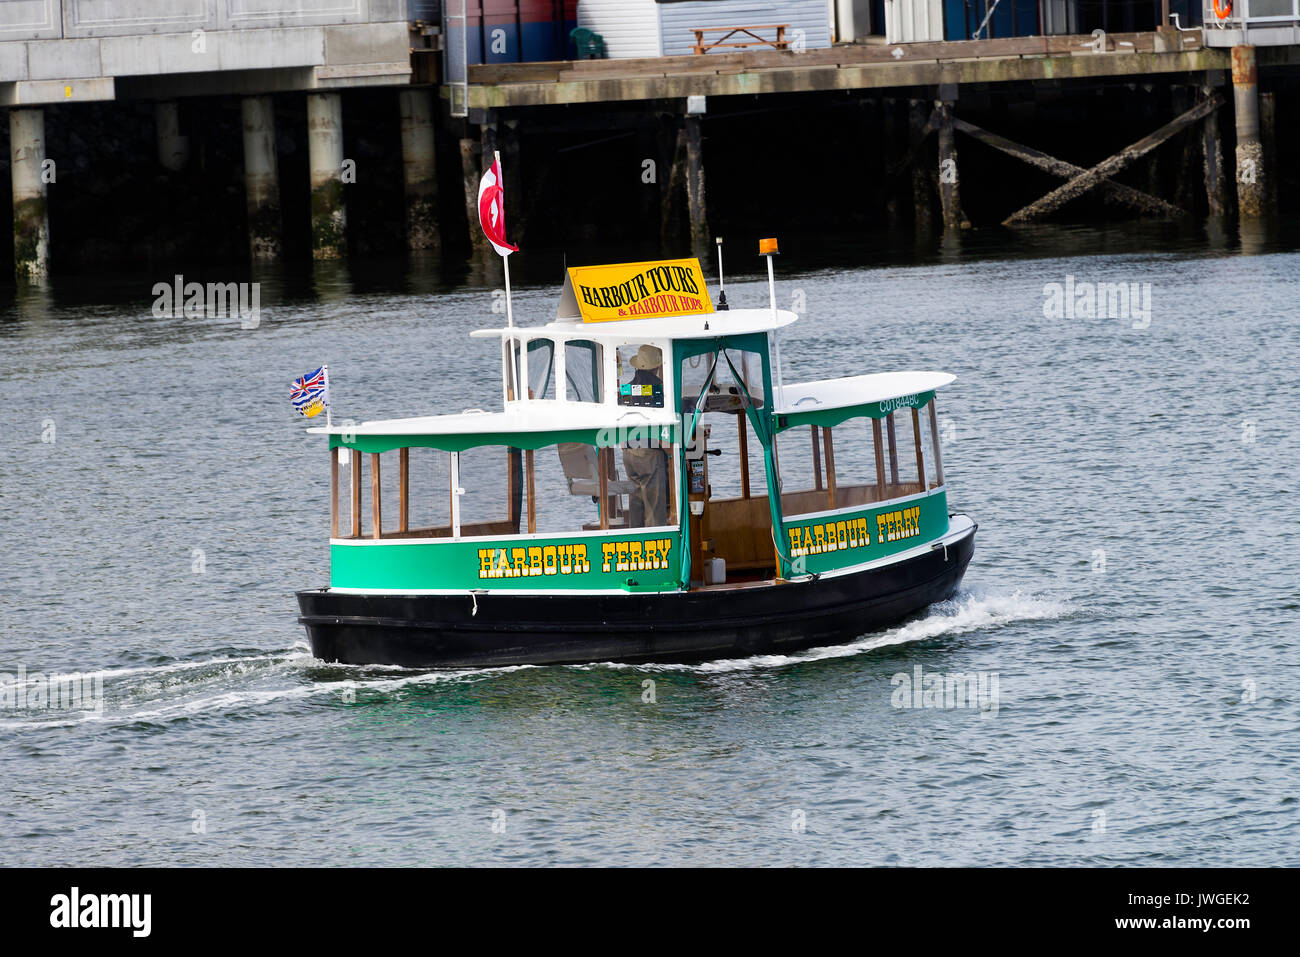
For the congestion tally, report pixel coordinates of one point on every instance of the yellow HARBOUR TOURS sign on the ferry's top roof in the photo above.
(635, 291)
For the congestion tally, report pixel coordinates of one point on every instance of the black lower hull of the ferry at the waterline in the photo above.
(441, 631)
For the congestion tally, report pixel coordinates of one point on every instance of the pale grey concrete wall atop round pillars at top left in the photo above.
(55, 51)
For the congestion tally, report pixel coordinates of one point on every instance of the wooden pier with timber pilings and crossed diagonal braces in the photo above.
(931, 79)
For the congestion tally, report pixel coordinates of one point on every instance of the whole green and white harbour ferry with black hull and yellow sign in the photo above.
(651, 492)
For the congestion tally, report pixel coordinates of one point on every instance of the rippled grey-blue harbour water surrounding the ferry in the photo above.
(1136, 592)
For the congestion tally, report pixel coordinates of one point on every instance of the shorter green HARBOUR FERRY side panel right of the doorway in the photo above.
(881, 531)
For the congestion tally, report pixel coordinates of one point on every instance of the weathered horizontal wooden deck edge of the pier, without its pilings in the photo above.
(851, 67)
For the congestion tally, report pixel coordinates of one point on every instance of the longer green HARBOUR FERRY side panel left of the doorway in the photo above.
(551, 564)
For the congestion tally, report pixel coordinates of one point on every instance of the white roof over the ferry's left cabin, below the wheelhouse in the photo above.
(535, 415)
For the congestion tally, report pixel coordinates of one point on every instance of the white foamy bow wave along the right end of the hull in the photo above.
(969, 612)
